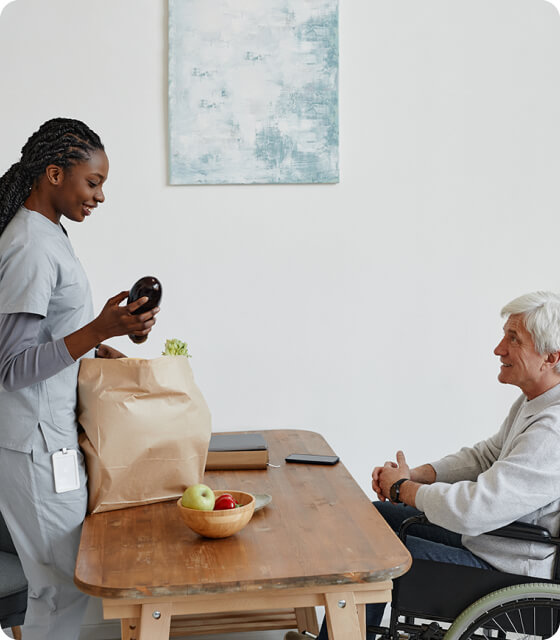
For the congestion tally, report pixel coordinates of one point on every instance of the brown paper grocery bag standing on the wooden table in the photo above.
(146, 430)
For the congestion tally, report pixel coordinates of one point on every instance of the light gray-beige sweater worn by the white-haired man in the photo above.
(514, 475)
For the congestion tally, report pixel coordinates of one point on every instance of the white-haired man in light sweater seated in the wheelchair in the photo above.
(513, 475)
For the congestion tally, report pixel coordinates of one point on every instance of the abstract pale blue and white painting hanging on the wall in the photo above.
(253, 91)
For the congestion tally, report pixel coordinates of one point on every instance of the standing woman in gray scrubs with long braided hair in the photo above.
(46, 325)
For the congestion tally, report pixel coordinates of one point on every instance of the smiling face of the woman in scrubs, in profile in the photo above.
(80, 190)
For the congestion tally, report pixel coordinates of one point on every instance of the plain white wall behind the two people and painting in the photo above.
(367, 310)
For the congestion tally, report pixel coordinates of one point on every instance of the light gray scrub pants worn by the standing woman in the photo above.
(45, 527)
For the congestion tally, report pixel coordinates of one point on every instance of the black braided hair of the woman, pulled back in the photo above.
(60, 141)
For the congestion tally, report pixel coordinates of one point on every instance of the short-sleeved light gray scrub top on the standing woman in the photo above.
(40, 274)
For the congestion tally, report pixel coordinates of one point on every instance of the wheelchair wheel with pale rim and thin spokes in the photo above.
(520, 611)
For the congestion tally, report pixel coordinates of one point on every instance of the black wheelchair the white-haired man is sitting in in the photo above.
(434, 600)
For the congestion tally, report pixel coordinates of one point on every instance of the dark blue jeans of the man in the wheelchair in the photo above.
(424, 543)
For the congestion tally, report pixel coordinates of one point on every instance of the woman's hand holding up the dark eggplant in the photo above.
(116, 320)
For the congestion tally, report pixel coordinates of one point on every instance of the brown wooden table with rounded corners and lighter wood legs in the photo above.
(319, 543)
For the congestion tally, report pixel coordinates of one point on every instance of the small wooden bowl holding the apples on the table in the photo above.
(222, 523)
